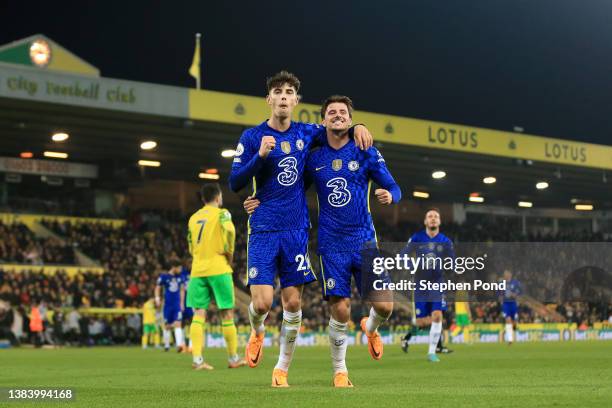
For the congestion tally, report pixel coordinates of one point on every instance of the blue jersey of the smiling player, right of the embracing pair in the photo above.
(343, 180)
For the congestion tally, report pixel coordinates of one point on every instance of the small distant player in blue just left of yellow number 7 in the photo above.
(174, 295)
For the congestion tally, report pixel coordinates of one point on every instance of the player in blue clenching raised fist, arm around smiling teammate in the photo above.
(273, 156)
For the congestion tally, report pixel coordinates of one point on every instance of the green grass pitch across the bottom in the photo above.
(482, 375)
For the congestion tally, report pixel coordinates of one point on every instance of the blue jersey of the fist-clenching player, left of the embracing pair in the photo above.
(278, 180)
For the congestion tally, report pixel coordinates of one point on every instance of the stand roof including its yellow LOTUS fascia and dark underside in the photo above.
(192, 127)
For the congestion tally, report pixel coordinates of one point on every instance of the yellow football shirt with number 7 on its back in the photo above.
(211, 237)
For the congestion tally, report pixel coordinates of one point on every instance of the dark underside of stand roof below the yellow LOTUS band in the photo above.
(185, 147)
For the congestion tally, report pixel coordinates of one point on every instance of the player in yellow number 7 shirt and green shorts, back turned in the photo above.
(211, 239)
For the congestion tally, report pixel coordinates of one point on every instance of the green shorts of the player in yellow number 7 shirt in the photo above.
(201, 290)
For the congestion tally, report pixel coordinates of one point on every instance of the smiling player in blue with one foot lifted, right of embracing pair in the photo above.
(342, 174)
